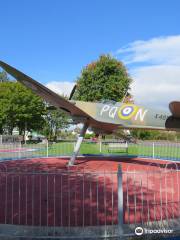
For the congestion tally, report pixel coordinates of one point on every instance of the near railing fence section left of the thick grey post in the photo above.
(55, 203)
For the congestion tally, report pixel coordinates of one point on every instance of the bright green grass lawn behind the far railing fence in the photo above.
(66, 148)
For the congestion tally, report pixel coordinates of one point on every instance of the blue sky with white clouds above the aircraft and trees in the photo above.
(52, 40)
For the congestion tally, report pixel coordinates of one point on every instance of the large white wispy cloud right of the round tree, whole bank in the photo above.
(157, 75)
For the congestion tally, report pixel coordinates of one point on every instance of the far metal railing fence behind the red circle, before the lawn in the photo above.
(156, 150)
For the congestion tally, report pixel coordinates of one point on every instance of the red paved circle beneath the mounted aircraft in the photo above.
(46, 192)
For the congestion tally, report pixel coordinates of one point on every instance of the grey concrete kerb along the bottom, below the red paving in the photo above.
(88, 232)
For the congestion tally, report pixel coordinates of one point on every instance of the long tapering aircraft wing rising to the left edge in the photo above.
(43, 92)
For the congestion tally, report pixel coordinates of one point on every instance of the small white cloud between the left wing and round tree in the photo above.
(61, 87)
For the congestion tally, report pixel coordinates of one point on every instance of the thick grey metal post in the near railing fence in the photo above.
(120, 201)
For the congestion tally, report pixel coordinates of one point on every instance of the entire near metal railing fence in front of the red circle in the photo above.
(78, 202)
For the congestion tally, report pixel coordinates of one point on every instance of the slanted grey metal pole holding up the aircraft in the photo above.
(78, 144)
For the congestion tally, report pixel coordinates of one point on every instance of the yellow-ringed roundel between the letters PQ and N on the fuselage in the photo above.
(127, 111)
